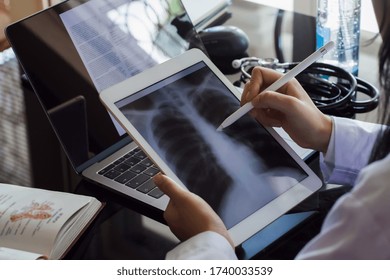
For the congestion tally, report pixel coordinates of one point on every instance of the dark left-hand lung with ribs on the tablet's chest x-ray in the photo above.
(185, 149)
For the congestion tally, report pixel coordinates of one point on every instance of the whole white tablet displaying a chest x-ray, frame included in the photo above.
(247, 172)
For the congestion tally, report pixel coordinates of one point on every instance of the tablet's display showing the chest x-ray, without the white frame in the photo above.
(236, 171)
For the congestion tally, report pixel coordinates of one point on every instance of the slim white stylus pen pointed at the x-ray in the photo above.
(279, 83)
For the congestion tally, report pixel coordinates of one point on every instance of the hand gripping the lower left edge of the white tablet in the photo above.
(188, 214)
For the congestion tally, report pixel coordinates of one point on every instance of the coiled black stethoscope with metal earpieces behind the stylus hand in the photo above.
(332, 89)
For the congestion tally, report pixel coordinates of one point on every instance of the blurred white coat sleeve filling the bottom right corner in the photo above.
(357, 226)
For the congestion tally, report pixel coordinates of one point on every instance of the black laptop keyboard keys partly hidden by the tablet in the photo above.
(134, 170)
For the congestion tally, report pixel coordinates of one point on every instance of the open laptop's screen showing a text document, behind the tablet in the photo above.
(74, 50)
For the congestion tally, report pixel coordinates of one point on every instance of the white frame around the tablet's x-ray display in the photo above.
(259, 219)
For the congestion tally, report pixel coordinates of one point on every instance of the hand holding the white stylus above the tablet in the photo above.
(290, 108)
